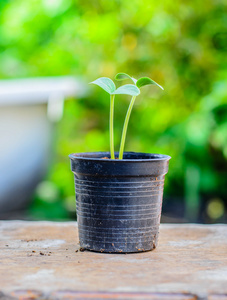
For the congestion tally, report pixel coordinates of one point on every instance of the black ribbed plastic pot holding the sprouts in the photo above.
(119, 201)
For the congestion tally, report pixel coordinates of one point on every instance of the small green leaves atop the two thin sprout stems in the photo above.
(128, 89)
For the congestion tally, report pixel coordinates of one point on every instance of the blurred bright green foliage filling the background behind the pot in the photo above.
(180, 44)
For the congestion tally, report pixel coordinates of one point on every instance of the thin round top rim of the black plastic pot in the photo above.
(88, 156)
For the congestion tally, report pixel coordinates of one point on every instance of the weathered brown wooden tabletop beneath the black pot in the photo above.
(42, 260)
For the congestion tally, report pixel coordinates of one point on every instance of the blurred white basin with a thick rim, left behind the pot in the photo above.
(27, 109)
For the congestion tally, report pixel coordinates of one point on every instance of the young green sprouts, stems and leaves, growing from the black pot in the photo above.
(128, 89)
